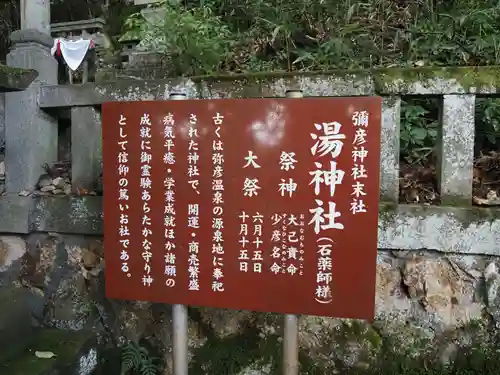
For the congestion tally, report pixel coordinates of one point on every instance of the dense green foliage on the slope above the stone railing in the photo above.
(260, 35)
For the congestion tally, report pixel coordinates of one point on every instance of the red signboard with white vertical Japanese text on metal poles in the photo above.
(258, 204)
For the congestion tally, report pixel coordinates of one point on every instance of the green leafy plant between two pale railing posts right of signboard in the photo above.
(418, 132)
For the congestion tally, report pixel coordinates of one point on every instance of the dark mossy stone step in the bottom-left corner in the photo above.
(64, 344)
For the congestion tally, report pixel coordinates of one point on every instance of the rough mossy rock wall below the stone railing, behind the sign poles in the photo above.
(428, 304)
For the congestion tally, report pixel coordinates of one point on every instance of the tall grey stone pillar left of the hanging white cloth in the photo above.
(30, 133)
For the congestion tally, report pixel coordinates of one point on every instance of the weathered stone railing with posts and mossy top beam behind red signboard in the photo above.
(454, 226)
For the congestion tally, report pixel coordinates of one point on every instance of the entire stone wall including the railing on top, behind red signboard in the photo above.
(437, 278)
